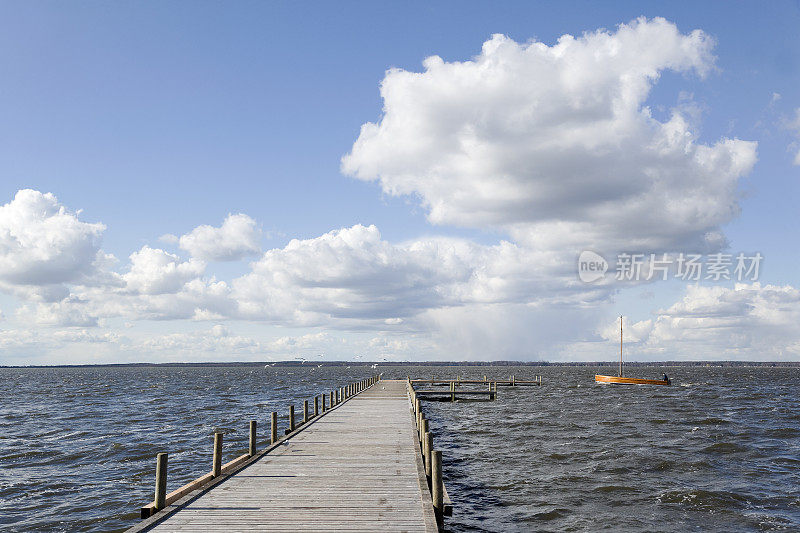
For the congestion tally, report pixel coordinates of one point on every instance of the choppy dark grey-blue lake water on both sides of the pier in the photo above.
(718, 451)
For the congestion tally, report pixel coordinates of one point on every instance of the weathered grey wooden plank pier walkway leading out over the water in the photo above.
(356, 467)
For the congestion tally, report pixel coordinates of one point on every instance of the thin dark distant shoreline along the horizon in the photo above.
(294, 364)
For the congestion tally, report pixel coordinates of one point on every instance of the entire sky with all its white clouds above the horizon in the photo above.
(206, 181)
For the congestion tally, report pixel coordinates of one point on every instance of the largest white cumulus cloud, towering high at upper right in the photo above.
(554, 144)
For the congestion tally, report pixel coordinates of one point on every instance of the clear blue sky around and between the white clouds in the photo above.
(156, 118)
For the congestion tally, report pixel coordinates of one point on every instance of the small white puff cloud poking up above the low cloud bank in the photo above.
(238, 237)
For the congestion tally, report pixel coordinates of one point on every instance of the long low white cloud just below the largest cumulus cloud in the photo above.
(353, 277)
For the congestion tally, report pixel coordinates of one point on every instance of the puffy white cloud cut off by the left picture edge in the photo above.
(43, 245)
